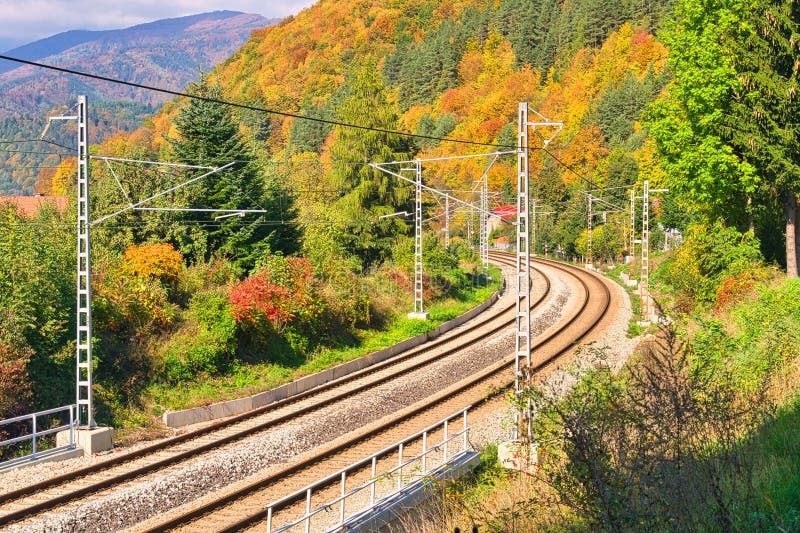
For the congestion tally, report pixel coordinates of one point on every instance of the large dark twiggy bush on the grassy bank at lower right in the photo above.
(658, 448)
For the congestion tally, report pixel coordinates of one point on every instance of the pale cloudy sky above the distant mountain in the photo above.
(25, 21)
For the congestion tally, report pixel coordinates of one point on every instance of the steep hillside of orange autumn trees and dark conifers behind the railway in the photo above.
(450, 69)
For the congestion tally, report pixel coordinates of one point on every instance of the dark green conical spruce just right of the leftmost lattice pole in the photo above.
(210, 136)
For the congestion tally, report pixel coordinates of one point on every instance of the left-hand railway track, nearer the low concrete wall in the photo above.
(59, 492)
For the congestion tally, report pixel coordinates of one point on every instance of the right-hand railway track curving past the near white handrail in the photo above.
(242, 507)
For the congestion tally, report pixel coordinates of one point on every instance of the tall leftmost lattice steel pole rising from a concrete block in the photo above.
(84, 283)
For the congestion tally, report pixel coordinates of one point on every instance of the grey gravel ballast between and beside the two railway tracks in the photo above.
(159, 492)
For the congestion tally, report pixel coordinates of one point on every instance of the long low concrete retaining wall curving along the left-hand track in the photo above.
(234, 407)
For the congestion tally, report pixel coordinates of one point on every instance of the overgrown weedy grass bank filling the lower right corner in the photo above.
(695, 436)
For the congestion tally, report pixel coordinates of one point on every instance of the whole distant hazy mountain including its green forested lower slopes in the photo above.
(169, 54)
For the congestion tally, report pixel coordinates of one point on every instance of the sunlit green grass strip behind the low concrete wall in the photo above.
(249, 378)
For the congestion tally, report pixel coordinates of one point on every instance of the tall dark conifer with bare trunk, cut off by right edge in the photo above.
(764, 119)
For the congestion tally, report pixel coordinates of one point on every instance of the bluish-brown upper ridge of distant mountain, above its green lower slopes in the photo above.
(168, 53)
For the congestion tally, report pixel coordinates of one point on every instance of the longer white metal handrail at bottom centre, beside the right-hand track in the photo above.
(374, 478)
